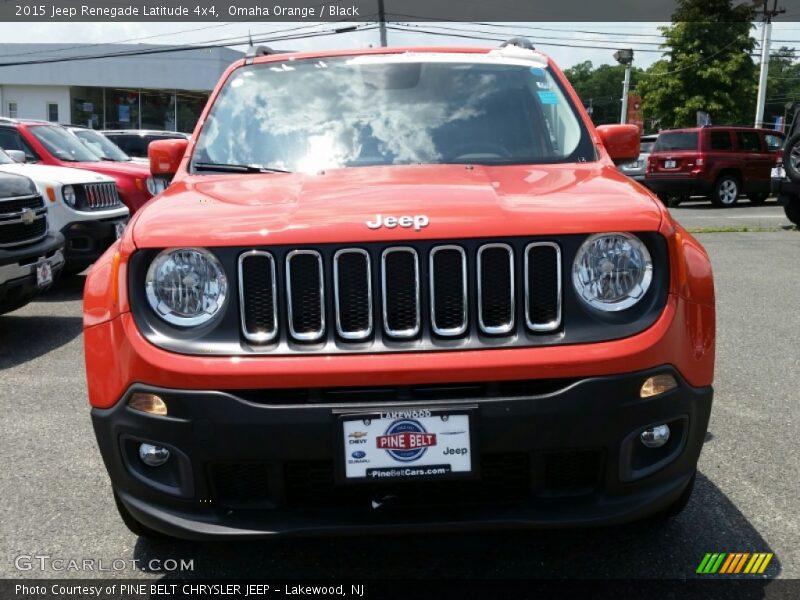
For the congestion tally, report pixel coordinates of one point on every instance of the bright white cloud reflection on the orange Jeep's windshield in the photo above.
(313, 117)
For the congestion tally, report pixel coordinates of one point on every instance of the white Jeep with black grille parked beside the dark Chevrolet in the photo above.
(82, 205)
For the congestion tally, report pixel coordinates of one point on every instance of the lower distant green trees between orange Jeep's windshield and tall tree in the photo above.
(601, 88)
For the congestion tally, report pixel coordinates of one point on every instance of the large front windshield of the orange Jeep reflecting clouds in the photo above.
(309, 115)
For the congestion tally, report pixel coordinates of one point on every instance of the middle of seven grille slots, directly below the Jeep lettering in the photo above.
(400, 281)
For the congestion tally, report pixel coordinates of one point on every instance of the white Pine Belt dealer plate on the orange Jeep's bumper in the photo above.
(407, 444)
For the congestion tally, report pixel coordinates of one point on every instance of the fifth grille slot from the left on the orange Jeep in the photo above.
(448, 273)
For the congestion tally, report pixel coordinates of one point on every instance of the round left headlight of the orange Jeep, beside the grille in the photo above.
(186, 286)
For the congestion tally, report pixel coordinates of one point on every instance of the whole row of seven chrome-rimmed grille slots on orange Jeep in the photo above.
(442, 291)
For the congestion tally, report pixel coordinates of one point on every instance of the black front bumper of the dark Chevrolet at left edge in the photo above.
(18, 270)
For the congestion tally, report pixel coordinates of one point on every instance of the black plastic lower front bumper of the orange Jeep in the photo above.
(567, 456)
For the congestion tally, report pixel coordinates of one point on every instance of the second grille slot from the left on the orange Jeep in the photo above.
(305, 295)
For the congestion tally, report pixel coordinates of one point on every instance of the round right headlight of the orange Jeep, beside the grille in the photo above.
(612, 271)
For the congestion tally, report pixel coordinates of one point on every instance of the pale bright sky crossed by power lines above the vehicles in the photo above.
(560, 40)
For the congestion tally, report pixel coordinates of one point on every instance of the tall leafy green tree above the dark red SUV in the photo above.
(707, 66)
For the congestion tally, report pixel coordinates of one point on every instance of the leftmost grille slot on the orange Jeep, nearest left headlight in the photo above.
(257, 296)
